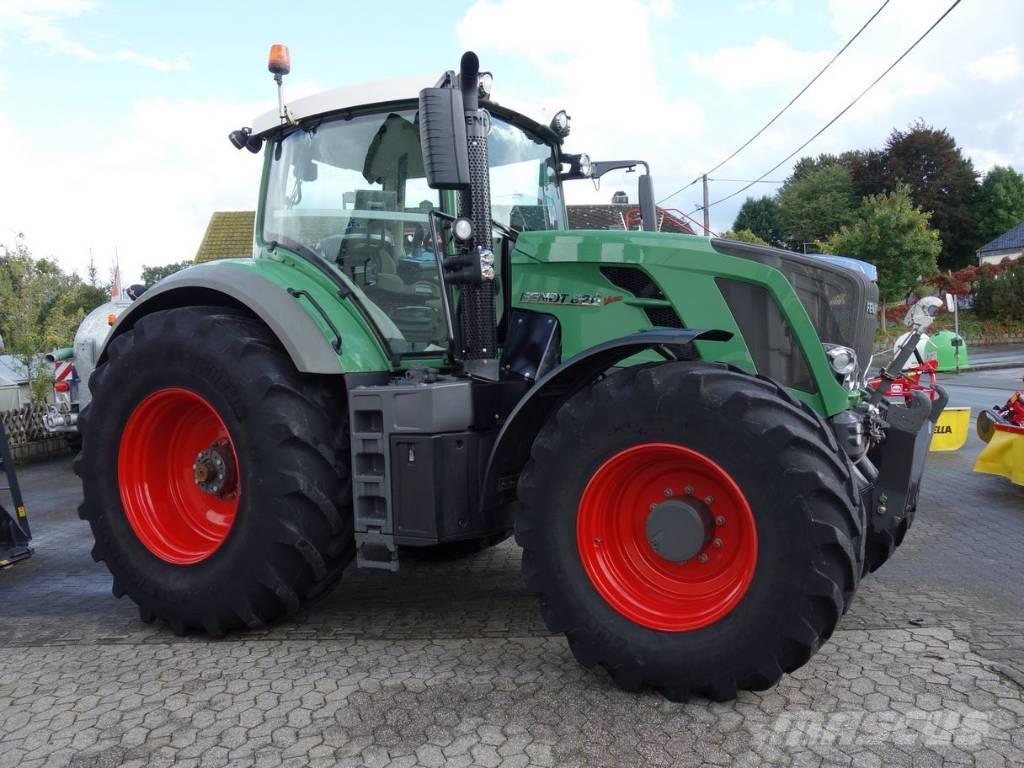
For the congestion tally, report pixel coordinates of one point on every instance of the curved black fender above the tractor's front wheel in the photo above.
(511, 449)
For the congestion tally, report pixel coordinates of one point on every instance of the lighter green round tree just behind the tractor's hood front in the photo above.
(894, 235)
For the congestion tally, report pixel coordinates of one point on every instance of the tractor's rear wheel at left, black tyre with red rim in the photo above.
(216, 477)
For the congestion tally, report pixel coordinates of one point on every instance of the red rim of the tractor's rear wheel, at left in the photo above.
(161, 446)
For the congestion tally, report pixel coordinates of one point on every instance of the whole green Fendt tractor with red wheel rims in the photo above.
(421, 355)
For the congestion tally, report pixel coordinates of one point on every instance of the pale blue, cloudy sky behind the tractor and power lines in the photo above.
(114, 114)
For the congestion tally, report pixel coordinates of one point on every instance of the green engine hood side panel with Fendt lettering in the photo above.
(567, 274)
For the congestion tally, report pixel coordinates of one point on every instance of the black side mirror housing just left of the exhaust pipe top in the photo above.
(443, 139)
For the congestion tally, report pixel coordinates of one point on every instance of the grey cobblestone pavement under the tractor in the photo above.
(448, 664)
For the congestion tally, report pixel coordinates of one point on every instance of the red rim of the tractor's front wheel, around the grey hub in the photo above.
(624, 567)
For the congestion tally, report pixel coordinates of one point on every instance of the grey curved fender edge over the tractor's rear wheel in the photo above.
(281, 310)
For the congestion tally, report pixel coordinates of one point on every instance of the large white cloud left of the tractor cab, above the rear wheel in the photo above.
(146, 185)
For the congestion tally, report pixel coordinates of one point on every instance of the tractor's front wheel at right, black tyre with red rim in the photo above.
(784, 532)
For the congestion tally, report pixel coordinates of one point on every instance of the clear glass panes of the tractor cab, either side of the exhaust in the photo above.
(354, 194)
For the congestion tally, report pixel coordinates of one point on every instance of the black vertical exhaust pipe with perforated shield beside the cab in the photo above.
(479, 321)
